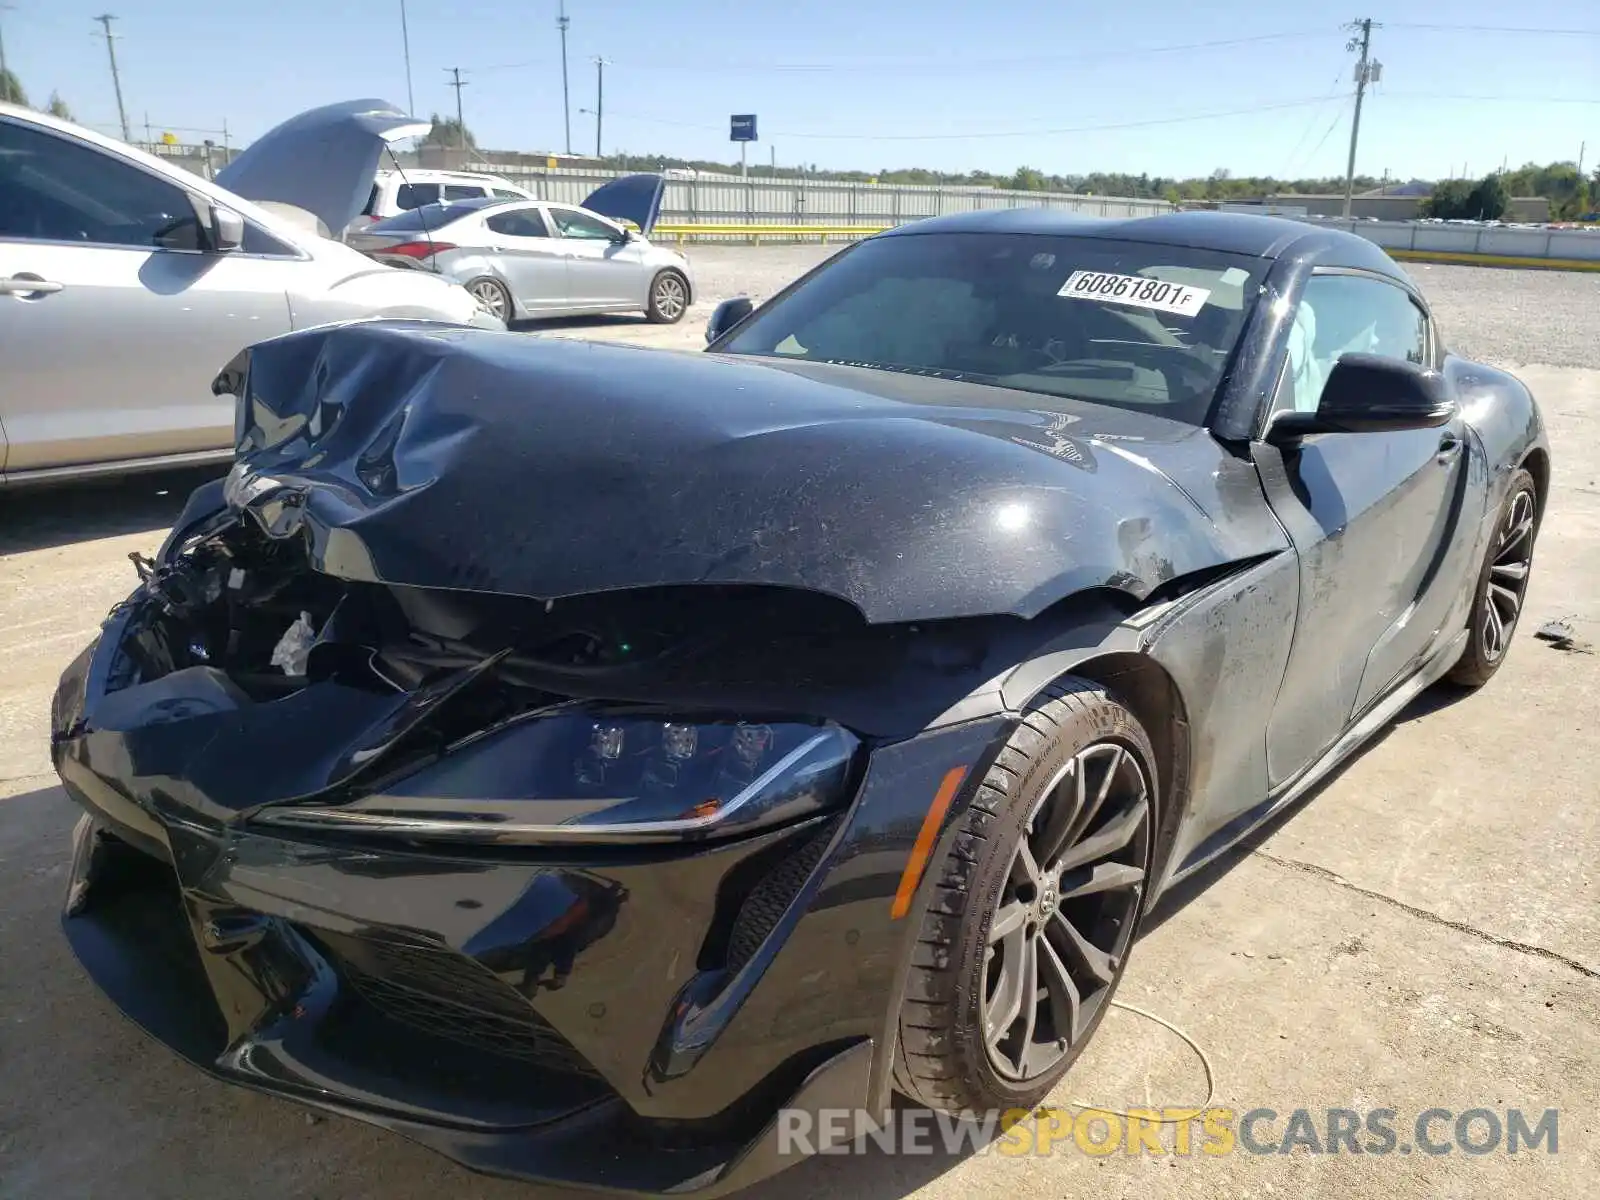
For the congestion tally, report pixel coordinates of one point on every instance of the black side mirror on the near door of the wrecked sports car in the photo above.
(1370, 394)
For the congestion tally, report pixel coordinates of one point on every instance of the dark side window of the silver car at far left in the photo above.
(55, 190)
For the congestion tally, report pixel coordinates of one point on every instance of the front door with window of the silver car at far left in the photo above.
(114, 314)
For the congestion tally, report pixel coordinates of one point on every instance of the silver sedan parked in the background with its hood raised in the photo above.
(537, 258)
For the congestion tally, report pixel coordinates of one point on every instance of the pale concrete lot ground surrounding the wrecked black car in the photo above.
(1423, 934)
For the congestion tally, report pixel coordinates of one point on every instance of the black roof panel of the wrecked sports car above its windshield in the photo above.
(1270, 238)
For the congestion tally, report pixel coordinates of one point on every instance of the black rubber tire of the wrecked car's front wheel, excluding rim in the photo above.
(943, 1058)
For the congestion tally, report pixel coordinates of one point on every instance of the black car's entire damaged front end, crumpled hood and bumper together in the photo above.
(526, 746)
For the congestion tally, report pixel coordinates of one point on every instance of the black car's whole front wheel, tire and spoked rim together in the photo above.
(1034, 910)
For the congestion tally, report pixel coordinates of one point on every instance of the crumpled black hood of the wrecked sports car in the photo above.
(434, 457)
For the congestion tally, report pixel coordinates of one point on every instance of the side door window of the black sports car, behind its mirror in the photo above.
(1348, 314)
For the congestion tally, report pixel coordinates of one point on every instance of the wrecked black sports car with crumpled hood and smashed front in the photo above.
(570, 756)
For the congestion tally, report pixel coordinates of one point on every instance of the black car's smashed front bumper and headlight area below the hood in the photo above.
(575, 890)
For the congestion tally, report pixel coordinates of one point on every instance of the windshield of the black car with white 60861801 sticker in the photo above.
(1126, 324)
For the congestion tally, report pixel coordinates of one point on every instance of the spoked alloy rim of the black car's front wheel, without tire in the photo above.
(1068, 911)
